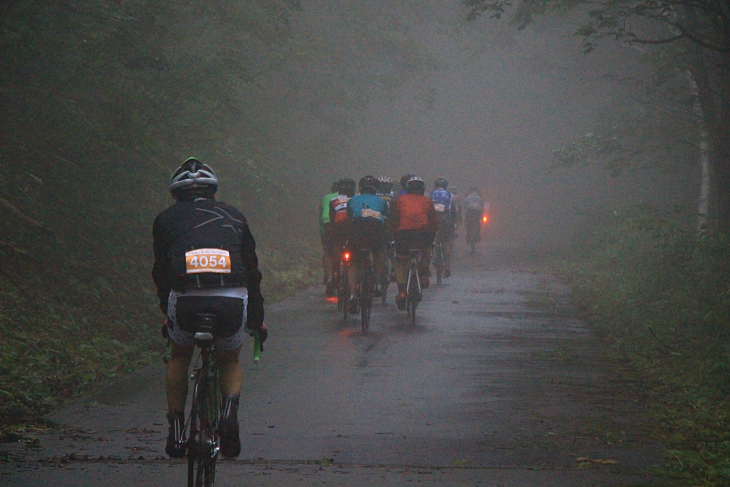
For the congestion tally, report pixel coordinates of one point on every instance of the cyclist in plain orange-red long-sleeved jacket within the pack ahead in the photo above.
(414, 223)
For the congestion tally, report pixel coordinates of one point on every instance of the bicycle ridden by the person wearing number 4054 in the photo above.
(203, 444)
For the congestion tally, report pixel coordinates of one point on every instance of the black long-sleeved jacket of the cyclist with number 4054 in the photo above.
(206, 223)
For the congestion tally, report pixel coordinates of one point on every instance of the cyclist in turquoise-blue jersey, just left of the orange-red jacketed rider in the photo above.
(368, 212)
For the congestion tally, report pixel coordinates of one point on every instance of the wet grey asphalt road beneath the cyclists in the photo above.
(499, 383)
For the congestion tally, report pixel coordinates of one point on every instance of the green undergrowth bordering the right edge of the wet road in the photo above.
(659, 297)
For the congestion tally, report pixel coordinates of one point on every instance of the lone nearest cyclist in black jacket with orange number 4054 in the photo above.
(205, 261)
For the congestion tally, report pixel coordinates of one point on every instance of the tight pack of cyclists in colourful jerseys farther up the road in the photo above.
(388, 224)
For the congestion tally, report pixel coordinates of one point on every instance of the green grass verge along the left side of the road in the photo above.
(80, 334)
